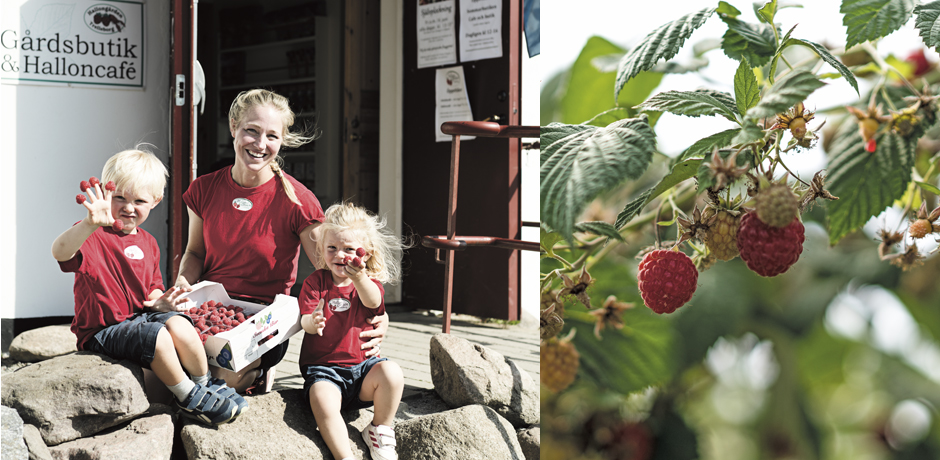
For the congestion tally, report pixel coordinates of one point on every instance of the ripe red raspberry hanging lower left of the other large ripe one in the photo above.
(666, 280)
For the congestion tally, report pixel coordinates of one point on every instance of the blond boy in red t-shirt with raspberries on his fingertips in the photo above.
(120, 308)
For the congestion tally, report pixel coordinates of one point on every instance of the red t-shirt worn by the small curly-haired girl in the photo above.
(345, 317)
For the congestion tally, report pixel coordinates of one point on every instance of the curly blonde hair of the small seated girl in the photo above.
(385, 248)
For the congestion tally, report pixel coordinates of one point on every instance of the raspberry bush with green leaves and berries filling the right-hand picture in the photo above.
(646, 304)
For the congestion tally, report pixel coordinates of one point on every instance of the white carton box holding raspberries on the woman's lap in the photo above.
(235, 349)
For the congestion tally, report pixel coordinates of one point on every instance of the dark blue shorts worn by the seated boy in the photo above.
(134, 339)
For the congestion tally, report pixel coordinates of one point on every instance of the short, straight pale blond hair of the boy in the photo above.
(135, 170)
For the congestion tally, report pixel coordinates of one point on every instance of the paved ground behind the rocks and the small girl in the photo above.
(409, 341)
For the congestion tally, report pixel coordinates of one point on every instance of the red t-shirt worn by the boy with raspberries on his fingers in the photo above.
(114, 274)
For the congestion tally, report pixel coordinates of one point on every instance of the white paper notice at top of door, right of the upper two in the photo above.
(481, 29)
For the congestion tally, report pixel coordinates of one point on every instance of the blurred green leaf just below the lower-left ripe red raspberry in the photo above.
(626, 360)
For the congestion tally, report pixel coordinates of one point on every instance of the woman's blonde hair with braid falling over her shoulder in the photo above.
(246, 100)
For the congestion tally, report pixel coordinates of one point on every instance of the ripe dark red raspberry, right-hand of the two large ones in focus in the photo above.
(769, 251)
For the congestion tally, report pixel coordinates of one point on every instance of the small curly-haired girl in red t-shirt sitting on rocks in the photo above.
(357, 255)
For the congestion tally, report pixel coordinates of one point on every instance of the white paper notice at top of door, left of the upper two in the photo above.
(436, 43)
